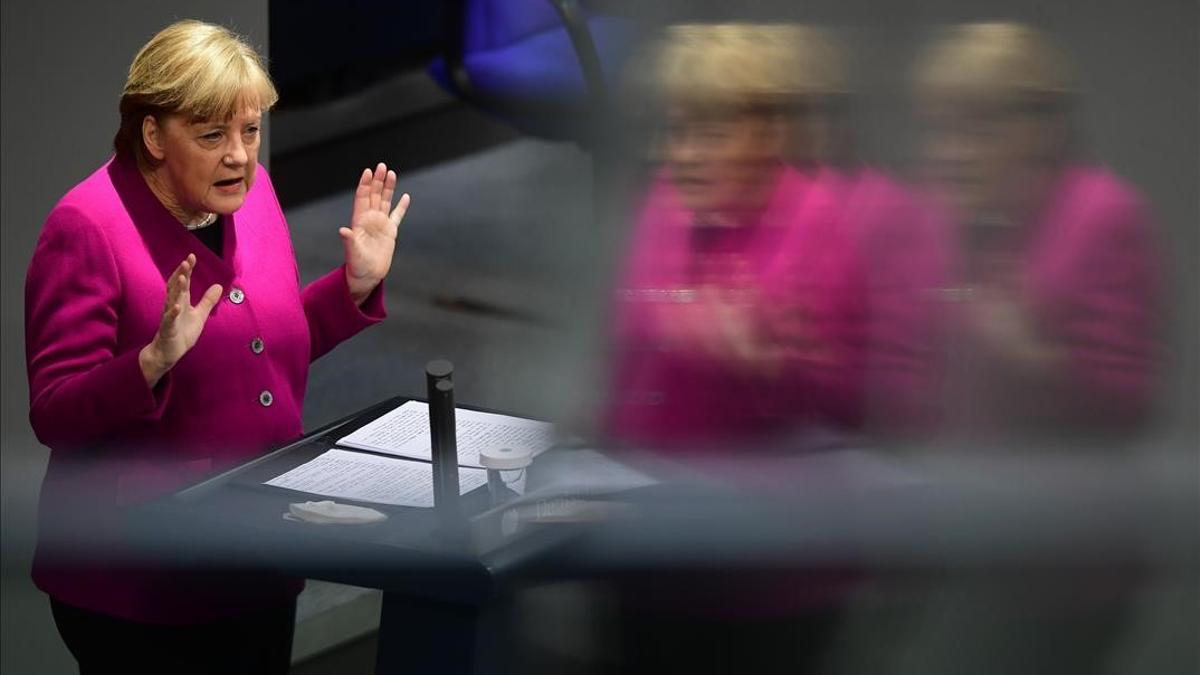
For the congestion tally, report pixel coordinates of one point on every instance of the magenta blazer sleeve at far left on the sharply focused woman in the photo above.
(82, 389)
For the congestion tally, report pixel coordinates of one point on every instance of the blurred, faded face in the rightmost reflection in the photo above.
(986, 157)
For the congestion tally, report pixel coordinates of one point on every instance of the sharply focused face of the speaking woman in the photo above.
(208, 165)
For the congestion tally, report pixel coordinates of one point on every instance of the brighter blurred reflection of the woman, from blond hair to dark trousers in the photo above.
(739, 321)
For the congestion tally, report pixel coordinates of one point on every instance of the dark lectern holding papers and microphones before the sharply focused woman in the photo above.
(442, 590)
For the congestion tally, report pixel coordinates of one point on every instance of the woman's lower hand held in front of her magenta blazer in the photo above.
(182, 324)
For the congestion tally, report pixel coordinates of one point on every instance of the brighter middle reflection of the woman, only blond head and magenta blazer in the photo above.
(737, 313)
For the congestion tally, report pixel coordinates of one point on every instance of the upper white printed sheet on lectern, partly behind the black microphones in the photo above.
(405, 432)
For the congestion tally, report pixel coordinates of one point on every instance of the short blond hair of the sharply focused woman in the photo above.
(194, 69)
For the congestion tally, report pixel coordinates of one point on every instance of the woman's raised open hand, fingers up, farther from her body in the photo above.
(371, 240)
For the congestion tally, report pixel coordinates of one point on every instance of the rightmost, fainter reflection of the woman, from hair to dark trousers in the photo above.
(1051, 304)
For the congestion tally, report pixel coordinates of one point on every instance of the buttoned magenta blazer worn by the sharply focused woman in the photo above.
(94, 297)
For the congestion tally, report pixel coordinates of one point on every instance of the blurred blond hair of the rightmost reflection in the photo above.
(995, 63)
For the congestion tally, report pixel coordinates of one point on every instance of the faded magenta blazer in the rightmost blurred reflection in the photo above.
(1088, 268)
